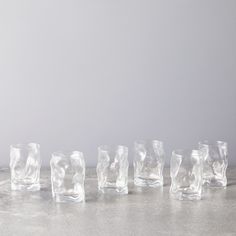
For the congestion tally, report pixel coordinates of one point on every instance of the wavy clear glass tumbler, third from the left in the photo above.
(112, 169)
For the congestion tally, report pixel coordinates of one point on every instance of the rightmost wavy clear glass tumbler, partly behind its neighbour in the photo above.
(215, 156)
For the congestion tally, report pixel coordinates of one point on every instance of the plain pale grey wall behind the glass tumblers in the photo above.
(77, 74)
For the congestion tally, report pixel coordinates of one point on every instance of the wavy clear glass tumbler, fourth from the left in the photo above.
(149, 159)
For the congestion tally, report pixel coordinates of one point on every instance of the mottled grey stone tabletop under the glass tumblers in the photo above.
(144, 211)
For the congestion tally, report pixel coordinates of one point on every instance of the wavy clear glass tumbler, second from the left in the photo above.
(67, 176)
